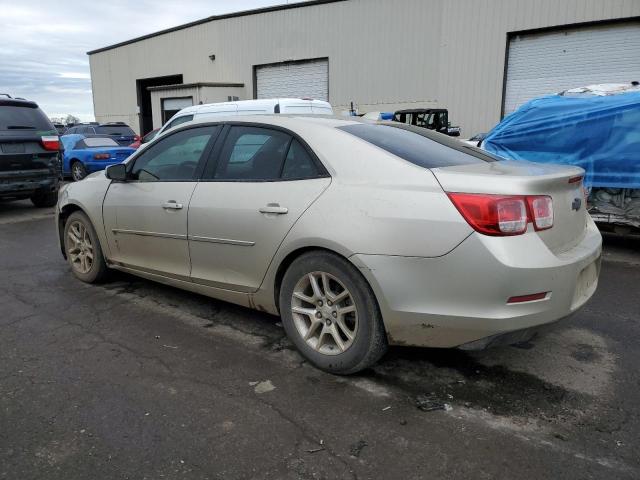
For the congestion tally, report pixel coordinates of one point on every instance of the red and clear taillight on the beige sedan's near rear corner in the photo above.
(503, 215)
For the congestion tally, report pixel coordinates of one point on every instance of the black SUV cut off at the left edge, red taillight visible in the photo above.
(29, 153)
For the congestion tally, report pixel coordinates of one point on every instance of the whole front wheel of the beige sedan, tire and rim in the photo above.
(83, 250)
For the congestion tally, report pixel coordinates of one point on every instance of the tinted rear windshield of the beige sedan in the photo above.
(418, 145)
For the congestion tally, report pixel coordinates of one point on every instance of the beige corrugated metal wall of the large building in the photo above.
(383, 54)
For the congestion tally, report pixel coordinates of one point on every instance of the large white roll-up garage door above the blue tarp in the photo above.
(546, 63)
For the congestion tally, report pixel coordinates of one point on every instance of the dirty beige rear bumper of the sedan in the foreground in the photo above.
(461, 297)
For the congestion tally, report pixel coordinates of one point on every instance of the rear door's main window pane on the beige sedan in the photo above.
(252, 153)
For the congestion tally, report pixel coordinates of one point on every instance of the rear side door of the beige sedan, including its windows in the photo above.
(257, 183)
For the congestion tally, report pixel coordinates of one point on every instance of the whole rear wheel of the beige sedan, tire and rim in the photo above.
(330, 314)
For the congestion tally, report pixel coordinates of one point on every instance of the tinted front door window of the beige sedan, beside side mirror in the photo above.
(175, 157)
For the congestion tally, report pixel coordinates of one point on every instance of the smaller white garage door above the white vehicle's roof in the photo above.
(295, 80)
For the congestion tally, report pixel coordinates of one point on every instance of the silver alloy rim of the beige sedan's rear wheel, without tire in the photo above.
(324, 313)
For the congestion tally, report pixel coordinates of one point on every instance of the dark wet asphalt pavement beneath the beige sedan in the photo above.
(135, 380)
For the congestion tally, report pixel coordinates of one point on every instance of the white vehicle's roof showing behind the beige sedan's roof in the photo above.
(249, 107)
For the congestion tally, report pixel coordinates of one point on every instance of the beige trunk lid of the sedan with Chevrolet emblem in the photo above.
(528, 178)
